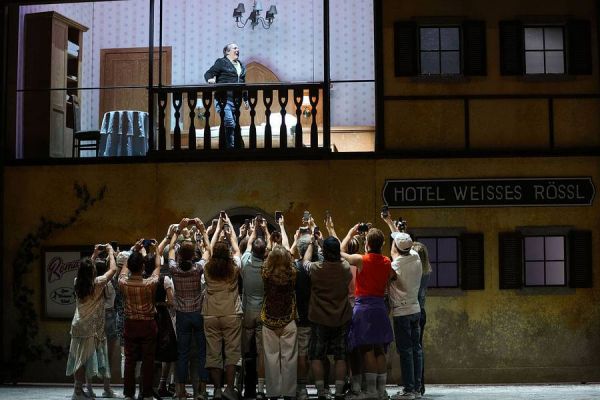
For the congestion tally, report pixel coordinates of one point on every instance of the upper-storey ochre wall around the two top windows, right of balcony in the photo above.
(494, 124)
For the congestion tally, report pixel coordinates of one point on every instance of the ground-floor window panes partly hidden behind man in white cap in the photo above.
(443, 257)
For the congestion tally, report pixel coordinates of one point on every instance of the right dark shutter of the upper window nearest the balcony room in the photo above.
(474, 48)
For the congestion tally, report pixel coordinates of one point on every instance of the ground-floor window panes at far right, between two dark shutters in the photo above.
(545, 261)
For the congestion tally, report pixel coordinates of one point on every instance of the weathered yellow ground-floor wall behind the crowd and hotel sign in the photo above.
(477, 336)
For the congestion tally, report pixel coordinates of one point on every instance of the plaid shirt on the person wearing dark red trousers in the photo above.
(138, 296)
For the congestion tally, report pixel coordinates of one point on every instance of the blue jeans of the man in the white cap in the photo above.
(408, 334)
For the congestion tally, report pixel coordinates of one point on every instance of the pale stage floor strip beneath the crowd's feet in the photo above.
(434, 392)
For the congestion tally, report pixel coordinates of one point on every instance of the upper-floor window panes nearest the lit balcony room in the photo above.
(439, 50)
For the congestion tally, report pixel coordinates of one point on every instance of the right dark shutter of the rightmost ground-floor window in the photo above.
(580, 259)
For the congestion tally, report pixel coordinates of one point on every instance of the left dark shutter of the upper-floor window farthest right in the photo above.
(511, 48)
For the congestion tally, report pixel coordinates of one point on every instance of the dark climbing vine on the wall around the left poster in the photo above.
(26, 346)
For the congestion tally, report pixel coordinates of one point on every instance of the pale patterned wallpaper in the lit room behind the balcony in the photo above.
(198, 30)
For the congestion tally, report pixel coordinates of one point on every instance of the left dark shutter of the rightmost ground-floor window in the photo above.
(511, 260)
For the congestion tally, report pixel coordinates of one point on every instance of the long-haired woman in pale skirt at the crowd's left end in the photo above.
(88, 353)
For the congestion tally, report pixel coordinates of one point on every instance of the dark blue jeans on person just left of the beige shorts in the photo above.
(188, 325)
